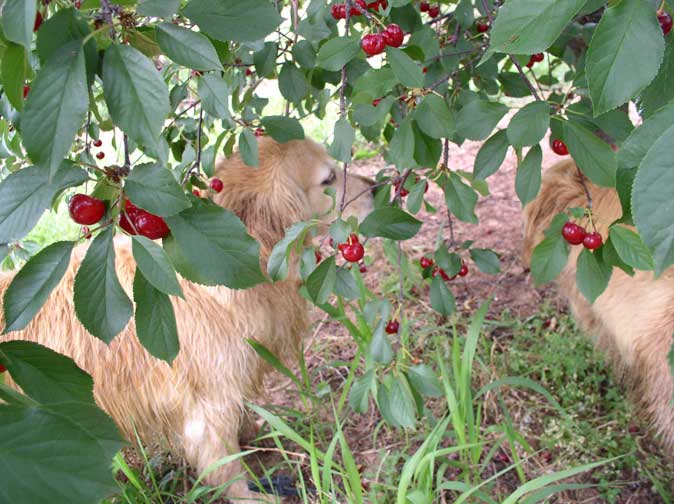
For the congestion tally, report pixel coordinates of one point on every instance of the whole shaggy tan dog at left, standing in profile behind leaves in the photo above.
(198, 402)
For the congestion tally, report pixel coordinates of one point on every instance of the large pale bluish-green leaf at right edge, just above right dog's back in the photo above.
(652, 210)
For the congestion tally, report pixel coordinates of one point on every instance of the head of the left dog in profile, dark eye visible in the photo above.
(288, 186)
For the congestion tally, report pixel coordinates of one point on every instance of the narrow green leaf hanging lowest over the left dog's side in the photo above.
(155, 320)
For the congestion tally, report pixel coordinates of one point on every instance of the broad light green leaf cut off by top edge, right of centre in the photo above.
(531, 26)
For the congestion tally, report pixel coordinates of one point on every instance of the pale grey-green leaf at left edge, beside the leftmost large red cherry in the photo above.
(27, 193)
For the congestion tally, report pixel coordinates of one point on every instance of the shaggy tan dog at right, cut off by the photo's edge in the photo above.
(633, 319)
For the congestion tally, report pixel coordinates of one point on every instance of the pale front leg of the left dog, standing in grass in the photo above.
(209, 437)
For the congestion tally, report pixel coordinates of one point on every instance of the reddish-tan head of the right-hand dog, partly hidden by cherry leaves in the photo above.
(563, 186)
